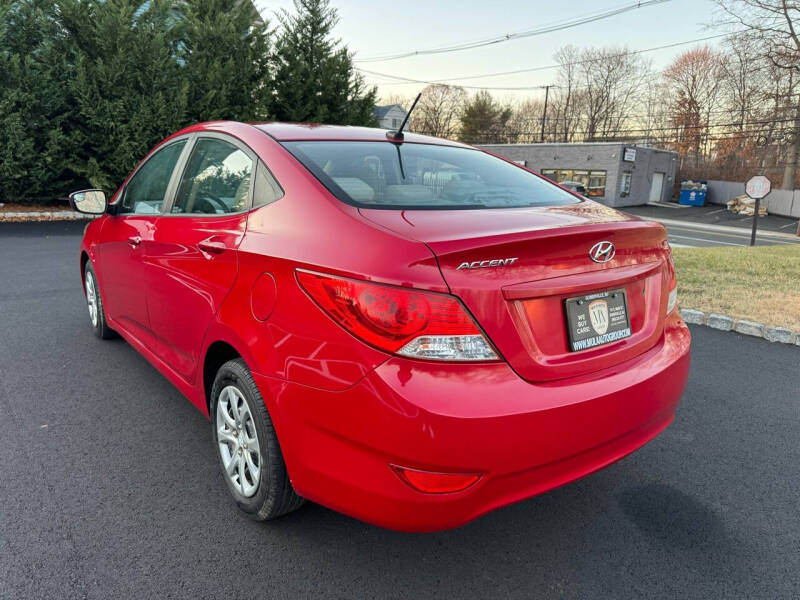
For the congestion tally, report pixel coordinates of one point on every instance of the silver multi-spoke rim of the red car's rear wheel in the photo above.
(238, 441)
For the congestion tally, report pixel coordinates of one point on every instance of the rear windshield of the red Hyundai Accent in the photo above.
(415, 176)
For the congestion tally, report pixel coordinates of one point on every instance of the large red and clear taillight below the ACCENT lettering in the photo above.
(400, 320)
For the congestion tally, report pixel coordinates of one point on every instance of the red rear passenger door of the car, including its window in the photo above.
(193, 261)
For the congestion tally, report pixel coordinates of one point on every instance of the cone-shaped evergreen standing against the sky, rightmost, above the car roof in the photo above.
(315, 80)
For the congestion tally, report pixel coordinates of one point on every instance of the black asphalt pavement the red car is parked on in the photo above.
(109, 486)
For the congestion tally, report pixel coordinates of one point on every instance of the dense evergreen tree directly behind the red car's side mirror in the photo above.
(128, 87)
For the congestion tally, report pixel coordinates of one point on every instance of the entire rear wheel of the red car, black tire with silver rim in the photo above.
(269, 494)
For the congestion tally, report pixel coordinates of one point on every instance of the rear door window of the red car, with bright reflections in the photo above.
(216, 179)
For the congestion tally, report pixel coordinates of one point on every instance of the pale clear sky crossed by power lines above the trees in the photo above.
(372, 28)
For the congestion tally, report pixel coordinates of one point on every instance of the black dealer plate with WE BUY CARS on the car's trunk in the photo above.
(597, 319)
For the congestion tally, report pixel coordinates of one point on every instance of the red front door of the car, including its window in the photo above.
(126, 237)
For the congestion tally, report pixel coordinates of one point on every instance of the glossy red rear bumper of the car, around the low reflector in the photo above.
(524, 439)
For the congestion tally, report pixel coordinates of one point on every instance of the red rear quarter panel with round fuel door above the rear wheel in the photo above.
(310, 229)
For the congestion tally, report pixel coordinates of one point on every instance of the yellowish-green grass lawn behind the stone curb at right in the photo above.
(761, 284)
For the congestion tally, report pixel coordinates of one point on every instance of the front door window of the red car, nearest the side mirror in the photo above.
(145, 191)
